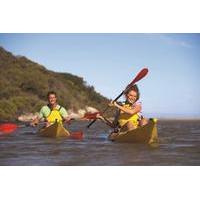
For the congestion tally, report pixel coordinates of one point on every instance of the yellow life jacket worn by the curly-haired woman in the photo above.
(125, 117)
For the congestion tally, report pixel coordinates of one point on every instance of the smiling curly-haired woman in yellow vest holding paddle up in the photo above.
(129, 115)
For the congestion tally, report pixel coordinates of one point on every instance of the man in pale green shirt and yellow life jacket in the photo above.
(51, 112)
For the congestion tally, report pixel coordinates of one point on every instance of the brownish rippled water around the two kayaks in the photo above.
(179, 145)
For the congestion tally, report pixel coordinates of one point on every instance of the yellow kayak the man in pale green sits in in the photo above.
(54, 130)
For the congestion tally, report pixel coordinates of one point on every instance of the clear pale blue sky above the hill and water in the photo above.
(110, 61)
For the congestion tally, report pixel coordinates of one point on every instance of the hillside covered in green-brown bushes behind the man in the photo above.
(24, 85)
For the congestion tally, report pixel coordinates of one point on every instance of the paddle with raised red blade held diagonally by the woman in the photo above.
(139, 76)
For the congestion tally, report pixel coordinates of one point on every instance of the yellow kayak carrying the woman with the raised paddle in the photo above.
(145, 134)
